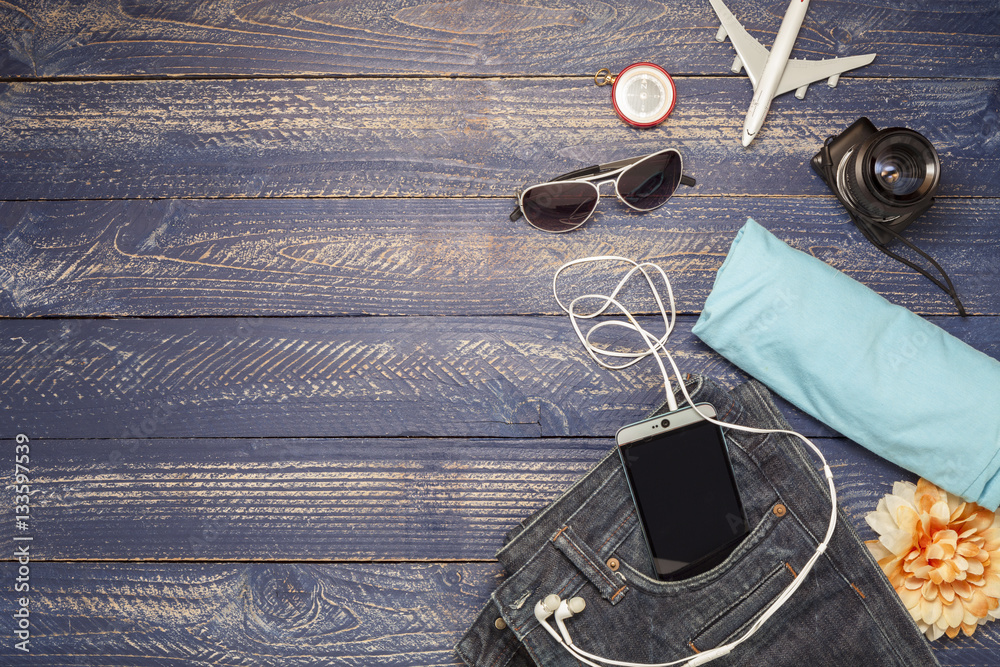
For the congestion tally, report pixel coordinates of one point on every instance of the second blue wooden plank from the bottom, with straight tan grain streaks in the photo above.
(351, 499)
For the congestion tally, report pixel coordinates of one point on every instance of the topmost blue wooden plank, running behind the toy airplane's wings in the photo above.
(956, 38)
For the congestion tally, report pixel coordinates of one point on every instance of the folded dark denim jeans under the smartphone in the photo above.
(588, 543)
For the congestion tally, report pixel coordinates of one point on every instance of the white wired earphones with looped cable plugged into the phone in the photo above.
(564, 609)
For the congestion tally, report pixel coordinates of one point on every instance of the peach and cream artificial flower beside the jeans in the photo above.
(941, 554)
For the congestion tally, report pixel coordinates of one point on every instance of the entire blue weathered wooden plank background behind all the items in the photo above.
(288, 370)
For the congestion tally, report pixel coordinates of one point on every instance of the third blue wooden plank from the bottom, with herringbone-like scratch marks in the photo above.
(339, 377)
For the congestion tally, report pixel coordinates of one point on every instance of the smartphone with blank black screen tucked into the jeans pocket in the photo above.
(685, 494)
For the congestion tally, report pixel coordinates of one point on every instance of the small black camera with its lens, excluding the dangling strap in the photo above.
(884, 178)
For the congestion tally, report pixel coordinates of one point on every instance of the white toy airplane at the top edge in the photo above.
(773, 73)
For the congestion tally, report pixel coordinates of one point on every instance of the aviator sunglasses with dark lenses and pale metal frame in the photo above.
(566, 202)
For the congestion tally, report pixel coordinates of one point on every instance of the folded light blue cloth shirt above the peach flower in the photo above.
(884, 377)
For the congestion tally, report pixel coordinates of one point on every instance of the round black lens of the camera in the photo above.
(891, 173)
